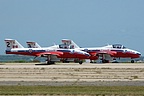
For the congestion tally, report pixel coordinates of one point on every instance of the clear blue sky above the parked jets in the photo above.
(89, 23)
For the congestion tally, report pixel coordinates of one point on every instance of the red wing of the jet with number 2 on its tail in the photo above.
(45, 54)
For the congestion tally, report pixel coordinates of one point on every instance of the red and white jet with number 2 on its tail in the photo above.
(14, 47)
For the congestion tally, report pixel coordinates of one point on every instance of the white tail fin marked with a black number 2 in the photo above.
(12, 44)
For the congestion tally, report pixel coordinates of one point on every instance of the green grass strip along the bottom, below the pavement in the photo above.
(72, 90)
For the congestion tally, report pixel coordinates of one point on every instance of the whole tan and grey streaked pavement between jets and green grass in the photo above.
(63, 74)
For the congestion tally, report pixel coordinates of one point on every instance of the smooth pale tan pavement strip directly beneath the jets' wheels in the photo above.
(72, 65)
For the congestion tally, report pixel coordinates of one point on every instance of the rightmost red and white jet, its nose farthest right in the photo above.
(107, 52)
